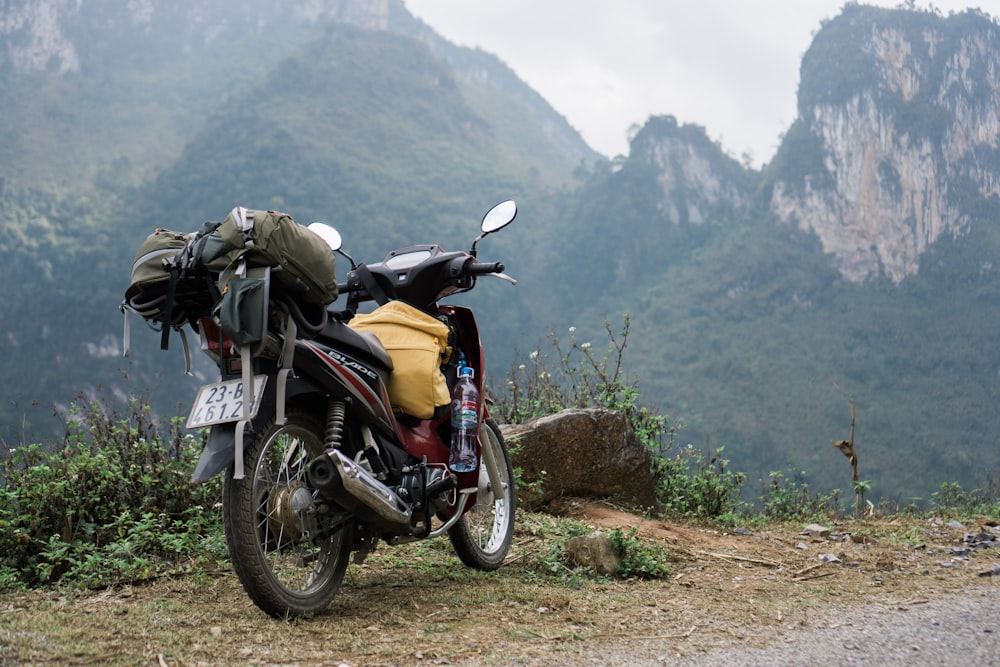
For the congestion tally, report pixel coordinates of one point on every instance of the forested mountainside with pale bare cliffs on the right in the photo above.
(859, 265)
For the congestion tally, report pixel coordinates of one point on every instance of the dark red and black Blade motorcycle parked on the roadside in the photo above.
(318, 465)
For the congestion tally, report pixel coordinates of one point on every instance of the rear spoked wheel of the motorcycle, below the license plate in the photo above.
(290, 560)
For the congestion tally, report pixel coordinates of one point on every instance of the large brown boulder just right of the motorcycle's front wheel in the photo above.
(587, 453)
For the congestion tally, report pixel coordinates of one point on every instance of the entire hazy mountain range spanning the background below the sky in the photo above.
(860, 264)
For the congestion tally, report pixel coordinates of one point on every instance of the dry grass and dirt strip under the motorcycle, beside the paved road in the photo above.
(417, 605)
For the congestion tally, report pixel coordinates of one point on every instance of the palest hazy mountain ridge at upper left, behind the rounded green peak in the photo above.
(117, 89)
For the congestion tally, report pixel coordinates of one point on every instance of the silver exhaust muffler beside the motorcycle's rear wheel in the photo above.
(334, 474)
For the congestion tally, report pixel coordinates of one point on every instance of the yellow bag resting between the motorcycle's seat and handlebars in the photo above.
(418, 345)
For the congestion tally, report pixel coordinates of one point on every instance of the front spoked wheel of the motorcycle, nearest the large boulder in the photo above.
(483, 535)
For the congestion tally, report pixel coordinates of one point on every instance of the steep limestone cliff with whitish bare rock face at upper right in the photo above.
(897, 131)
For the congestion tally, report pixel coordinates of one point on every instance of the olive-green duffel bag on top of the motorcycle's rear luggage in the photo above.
(301, 261)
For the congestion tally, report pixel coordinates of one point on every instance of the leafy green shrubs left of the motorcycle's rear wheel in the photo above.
(110, 503)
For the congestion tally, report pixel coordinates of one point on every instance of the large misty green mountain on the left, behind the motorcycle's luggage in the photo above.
(123, 117)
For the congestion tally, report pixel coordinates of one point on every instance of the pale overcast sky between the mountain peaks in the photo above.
(731, 66)
